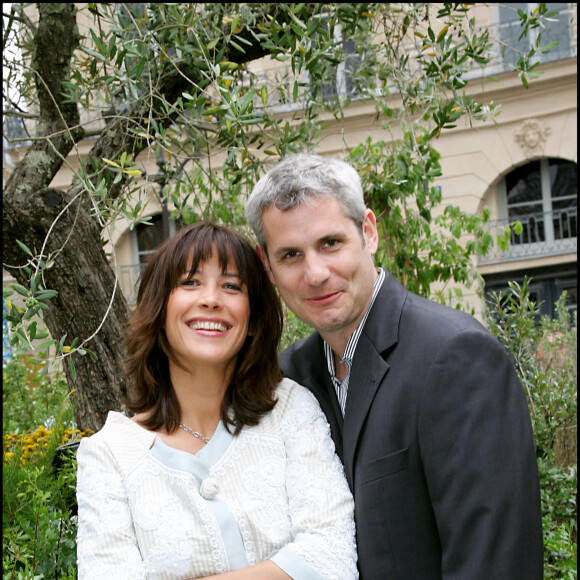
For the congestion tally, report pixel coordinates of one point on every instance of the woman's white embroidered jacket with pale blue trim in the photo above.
(277, 491)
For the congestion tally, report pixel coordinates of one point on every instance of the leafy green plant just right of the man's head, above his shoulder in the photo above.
(417, 246)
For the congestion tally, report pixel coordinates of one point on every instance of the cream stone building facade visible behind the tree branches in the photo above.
(522, 167)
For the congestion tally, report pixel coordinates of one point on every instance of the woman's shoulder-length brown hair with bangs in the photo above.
(251, 391)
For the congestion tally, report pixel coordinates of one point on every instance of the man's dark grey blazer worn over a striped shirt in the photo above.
(436, 442)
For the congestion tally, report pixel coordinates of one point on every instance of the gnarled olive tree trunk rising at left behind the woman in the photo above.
(81, 274)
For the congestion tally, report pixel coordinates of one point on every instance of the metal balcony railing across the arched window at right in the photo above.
(544, 234)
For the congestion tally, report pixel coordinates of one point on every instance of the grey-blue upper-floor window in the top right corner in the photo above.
(509, 30)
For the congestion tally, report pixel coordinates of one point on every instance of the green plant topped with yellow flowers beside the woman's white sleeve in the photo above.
(39, 527)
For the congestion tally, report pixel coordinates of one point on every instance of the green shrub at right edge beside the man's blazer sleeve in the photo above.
(544, 352)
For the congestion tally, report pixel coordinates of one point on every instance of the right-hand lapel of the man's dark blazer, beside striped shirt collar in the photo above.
(369, 367)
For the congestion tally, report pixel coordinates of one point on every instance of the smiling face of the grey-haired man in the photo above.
(322, 265)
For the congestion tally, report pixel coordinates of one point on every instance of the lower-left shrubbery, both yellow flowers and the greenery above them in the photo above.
(39, 528)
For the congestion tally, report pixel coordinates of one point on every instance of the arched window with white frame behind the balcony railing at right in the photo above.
(542, 196)
